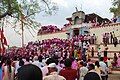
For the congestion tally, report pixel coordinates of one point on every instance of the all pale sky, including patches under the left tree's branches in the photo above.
(66, 8)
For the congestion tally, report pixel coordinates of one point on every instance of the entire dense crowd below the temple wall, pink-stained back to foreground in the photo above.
(55, 59)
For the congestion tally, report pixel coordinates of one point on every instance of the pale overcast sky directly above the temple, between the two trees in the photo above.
(67, 7)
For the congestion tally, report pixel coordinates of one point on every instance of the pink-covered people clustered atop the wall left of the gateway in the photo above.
(48, 29)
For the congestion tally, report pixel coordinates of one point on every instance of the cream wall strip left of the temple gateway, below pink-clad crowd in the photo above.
(61, 35)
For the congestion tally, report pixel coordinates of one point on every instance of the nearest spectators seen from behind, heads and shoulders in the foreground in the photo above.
(52, 68)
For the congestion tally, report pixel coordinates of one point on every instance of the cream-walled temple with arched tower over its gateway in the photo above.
(90, 25)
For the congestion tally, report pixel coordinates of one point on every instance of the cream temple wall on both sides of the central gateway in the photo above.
(99, 31)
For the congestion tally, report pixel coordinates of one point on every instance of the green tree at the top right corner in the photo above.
(116, 8)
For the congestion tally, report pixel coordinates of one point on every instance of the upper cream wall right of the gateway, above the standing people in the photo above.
(99, 31)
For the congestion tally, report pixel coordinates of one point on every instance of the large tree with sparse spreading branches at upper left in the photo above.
(24, 11)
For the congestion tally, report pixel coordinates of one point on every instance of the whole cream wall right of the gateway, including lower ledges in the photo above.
(106, 29)
